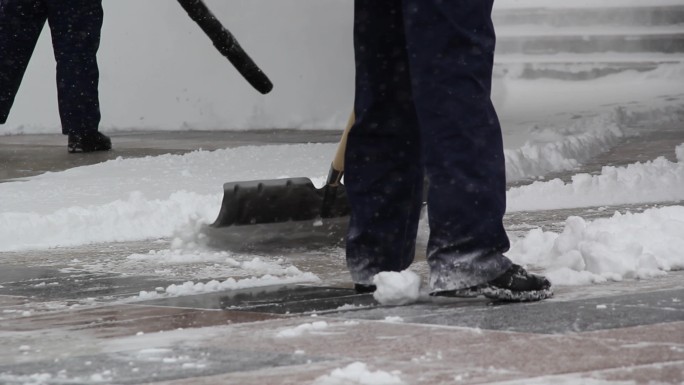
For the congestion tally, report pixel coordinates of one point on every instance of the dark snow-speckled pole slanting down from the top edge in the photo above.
(226, 44)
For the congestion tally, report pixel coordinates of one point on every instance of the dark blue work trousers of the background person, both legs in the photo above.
(75, 27)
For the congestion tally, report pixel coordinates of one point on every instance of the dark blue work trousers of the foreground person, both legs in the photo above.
(423, 108)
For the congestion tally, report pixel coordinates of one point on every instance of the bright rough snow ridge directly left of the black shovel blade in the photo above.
(130, 219)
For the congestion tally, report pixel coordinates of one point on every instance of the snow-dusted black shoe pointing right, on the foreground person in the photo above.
(517, 285)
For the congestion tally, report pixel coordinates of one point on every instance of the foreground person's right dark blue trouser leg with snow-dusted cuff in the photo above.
(451, 49)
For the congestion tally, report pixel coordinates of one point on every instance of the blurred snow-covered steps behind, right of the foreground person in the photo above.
(584, 40)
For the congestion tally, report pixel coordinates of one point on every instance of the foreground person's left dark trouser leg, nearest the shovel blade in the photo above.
(383, 175)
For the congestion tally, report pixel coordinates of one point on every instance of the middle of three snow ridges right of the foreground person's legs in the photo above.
(655, 181)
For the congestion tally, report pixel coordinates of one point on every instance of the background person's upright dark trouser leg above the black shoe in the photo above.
(76, 27)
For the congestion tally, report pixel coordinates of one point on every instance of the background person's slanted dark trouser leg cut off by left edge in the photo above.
(21, 22)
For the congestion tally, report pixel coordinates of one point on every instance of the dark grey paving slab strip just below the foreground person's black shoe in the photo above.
(548, 317)
